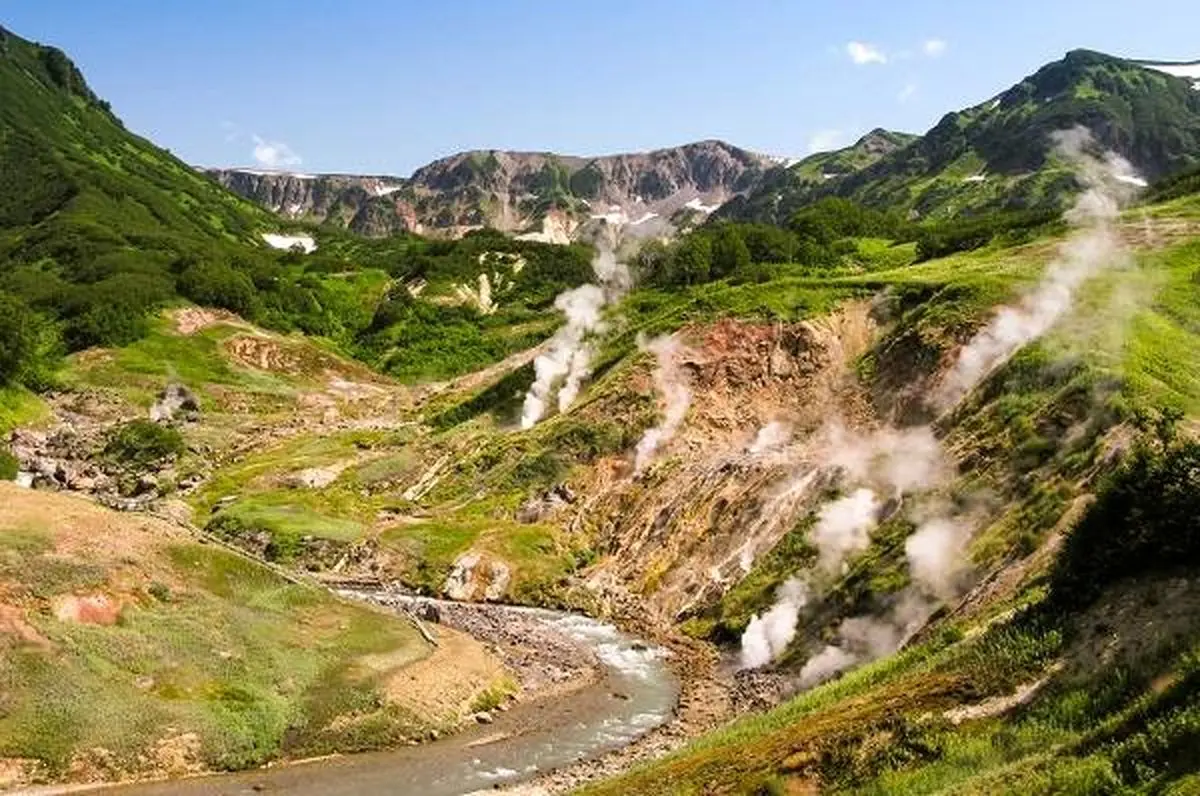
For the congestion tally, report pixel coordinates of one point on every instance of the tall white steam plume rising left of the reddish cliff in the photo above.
(568, 362)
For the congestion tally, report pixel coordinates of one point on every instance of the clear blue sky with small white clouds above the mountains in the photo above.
(387, 86)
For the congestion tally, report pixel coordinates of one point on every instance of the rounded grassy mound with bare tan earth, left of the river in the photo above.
(208, 648)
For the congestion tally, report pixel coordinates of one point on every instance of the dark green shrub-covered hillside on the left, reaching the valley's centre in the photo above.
(100, 230)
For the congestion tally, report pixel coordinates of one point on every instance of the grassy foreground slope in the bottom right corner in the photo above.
(1121, 729)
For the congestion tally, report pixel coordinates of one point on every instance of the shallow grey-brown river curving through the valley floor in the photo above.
(637, 693)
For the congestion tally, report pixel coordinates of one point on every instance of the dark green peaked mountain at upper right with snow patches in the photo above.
(998, 155)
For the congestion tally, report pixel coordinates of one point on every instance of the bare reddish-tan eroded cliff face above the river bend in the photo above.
(745, 468)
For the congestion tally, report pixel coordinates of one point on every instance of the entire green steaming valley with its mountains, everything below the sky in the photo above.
(854, 476)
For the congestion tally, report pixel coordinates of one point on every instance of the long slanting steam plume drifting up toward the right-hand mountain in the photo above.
(1109, 182)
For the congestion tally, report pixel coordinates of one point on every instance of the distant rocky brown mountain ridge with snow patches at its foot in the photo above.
(537, 195)
